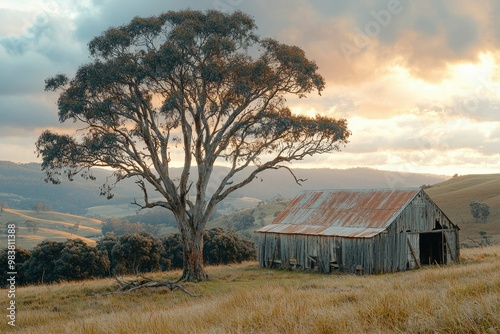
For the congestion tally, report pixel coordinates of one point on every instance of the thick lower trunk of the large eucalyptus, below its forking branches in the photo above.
(193, 268)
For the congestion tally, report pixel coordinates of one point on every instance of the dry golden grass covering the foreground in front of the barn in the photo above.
(463, 298)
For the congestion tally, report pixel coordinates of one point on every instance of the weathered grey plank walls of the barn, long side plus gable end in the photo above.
(395, 249)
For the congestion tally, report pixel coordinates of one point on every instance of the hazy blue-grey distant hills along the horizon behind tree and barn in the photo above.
(22, 185)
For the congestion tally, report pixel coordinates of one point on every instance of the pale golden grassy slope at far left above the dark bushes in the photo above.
(51, 225)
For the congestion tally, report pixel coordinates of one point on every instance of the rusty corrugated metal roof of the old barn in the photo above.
(345, 213)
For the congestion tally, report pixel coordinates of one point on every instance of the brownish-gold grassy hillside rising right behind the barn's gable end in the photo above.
(454, 195)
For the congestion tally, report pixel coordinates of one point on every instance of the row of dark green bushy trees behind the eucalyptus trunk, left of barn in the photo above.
(131, 253)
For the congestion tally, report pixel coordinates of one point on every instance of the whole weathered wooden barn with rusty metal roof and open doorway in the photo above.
(359, 231)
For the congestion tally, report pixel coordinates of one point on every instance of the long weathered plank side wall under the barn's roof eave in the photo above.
(383, 253)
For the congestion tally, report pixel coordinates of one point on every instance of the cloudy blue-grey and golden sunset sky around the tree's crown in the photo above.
(418, 81)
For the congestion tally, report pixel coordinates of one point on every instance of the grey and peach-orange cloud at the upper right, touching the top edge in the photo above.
(356, 40)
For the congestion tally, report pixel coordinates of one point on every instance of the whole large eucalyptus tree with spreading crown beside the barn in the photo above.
(201, 84)
